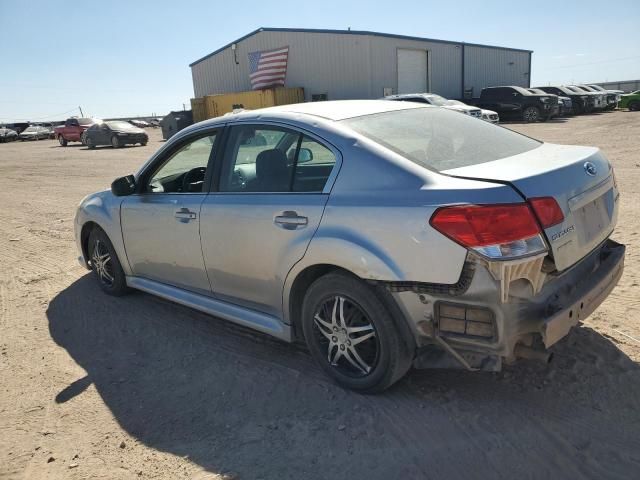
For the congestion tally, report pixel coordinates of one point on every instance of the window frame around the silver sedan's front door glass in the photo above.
(164, 155)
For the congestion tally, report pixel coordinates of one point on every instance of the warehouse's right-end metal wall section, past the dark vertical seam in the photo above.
(486, 66)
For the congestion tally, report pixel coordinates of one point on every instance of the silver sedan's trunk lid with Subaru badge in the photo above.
(579, 178)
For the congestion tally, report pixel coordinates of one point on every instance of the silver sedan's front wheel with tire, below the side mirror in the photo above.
(105, 264)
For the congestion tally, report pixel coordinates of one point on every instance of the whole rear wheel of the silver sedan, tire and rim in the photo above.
(352, 335)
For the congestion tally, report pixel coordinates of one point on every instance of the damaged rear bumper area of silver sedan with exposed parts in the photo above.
(475, 326)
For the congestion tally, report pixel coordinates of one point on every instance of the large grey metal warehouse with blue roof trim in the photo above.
(348, 64)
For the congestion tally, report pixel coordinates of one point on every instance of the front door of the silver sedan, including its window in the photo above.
(161, 221)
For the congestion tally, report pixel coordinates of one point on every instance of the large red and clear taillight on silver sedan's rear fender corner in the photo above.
(496, 231)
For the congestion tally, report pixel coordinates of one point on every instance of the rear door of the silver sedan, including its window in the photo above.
(271, 195)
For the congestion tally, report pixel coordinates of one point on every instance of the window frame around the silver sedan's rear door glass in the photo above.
(215, 186)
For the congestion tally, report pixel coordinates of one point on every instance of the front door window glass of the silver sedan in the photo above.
(185, 170)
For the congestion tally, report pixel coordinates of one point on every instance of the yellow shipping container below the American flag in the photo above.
(212, 106)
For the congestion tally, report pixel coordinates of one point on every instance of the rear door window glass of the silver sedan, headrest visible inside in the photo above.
(269, 159)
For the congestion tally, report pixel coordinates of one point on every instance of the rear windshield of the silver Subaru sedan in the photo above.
(440, 139)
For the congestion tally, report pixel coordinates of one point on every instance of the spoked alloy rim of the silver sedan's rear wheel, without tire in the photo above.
(348, 335)
